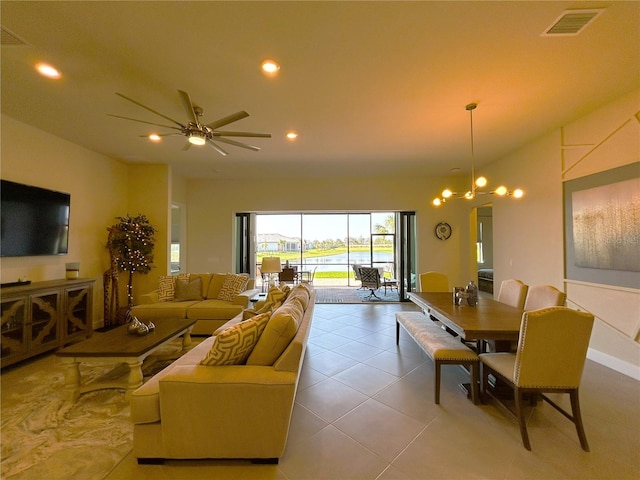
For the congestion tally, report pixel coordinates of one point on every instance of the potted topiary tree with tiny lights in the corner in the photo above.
(130, 244)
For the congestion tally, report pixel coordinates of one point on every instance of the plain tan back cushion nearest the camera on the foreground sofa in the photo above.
(281, 328)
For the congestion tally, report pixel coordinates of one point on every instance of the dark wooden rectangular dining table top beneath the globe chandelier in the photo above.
(489, 320)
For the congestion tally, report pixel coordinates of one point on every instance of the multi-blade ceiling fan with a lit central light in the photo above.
(197, 132)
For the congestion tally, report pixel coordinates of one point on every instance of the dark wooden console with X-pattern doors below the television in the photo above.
(44, 316)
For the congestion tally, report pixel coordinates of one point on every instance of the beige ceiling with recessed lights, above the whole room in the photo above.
(373, 88)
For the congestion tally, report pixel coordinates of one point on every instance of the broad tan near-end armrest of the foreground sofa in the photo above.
(251, 404)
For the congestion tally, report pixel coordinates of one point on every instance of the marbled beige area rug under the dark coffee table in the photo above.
(44, 436)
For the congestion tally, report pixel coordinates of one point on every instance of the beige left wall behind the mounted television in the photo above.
(98, 188)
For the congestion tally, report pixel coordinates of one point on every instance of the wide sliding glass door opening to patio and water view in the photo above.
(326, 246)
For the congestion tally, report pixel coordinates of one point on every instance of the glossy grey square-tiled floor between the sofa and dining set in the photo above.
(364, 410)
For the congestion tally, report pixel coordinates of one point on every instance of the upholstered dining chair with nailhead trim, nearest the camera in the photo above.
(550, 358)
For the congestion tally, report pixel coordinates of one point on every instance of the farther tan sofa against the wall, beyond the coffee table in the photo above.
(203, 303)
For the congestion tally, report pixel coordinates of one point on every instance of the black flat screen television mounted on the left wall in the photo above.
(34, 221)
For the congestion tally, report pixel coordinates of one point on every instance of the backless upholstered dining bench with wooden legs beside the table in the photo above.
(440, 346)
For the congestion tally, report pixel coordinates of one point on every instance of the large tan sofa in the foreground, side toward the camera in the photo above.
(193, 411)
